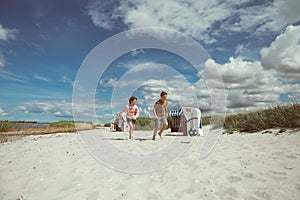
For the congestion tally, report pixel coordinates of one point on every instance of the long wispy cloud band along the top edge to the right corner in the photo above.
(204, 20)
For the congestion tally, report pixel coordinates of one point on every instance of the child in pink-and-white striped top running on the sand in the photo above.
(132, 112)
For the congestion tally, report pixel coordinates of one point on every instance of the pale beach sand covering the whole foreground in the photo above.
(241, 166)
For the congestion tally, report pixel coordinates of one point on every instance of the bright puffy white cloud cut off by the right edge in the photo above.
(283, 54)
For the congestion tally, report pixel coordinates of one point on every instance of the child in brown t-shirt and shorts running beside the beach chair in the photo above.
(160, 114)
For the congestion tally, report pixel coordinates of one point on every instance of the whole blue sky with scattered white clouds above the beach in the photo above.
(253, 44)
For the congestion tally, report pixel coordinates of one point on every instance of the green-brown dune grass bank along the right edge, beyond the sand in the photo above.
(282, 117)
